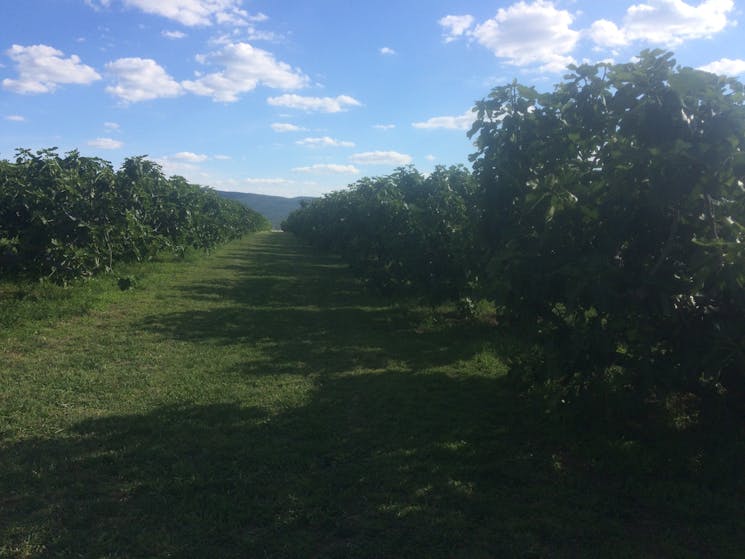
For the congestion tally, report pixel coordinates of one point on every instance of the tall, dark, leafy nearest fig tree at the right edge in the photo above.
(614, 224)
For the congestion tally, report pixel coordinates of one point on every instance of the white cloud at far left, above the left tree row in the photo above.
(42, 68)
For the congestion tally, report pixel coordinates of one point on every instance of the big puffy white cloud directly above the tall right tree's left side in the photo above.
(530, 33)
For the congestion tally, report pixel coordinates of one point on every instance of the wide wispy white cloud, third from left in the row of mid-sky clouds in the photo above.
(244, 68)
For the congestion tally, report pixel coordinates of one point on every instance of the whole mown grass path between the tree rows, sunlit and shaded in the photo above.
(259, 403)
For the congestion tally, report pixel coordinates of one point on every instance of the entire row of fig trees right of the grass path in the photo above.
(606, 220)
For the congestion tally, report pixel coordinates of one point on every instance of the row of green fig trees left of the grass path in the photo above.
(72, 216)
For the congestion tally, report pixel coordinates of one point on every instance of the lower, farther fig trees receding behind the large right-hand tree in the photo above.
(405, 232)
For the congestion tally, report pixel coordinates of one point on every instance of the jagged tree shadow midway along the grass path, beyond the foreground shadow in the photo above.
(309, 313)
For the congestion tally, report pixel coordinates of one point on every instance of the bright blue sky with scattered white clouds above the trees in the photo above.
(294, 97)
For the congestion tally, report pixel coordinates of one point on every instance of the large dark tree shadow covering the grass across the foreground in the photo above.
(376, 465)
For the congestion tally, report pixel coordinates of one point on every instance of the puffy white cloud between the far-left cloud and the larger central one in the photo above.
(141, 79)
